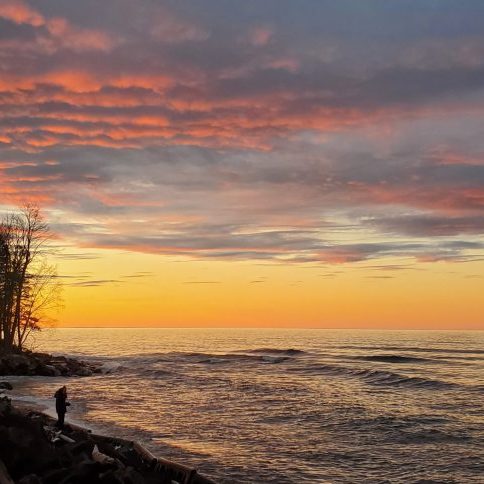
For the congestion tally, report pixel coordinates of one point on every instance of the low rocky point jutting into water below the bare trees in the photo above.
(28, 363)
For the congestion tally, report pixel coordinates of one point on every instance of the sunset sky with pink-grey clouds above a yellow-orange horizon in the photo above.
(293, 163)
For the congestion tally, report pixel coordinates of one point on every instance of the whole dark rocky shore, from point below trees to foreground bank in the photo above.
(32, 450)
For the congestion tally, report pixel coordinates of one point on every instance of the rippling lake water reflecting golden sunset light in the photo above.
(284, 406)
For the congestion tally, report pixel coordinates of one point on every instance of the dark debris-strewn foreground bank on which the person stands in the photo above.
(127, 461)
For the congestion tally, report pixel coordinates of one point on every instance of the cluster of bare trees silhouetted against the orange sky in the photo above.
(29, 286)
